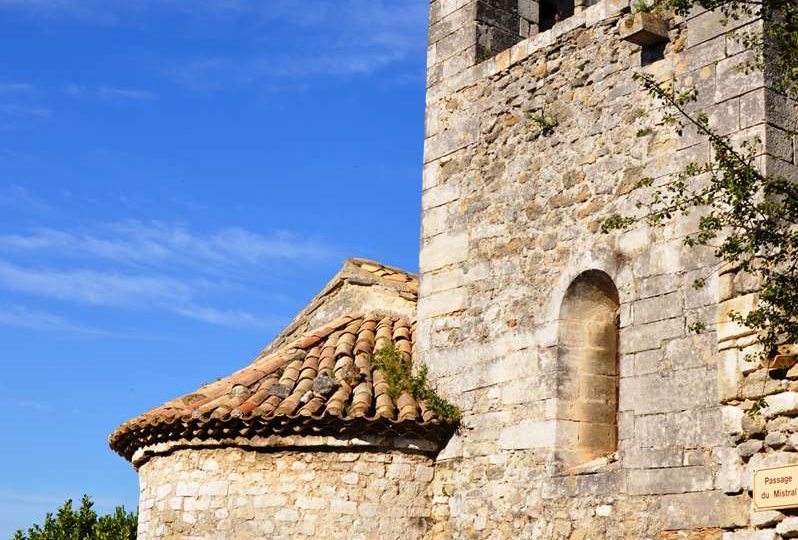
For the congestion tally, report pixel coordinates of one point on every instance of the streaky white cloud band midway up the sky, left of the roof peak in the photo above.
(144, 265)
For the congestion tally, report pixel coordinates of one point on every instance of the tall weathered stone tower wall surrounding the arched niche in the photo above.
(511, 216)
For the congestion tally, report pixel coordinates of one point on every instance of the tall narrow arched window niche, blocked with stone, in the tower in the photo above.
(587, 384)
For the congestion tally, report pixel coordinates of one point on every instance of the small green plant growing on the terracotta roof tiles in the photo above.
(397, 368)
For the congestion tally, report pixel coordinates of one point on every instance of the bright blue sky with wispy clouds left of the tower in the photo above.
(177, 179)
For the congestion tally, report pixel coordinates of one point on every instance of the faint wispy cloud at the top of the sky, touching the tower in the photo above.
(353, 37)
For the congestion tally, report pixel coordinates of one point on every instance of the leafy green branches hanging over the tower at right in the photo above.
(749, 217)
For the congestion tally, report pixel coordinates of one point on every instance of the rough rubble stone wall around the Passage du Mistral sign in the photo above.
(760, 400)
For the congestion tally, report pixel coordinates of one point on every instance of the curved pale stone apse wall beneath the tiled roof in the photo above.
(235, 493)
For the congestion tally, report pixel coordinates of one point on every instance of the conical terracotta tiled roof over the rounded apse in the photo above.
(322, 383)
